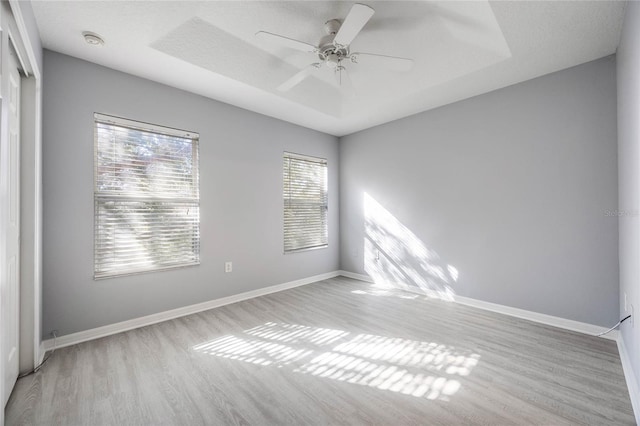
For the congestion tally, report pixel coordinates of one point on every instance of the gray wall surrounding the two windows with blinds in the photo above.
(240, 186)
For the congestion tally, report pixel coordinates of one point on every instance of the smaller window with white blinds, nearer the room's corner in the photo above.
(305, 202)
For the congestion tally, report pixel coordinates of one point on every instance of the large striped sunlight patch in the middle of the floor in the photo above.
(410, 367)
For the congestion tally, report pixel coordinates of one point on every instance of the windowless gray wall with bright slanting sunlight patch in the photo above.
(510, 188)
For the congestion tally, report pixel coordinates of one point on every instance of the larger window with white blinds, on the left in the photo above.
(146, 197)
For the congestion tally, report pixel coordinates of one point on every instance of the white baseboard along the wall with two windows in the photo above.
(107, 330)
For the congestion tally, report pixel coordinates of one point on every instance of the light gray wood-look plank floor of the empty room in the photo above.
(334, 352)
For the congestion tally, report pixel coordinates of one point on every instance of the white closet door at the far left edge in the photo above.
(11, 282)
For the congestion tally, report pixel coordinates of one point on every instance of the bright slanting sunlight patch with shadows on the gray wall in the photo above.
(395, 257)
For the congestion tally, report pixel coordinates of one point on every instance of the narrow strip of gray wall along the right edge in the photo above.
(628, 62)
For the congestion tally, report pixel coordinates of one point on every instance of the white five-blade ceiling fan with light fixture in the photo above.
(333, 49)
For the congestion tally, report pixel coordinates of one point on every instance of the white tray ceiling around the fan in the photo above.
(460, 48)
